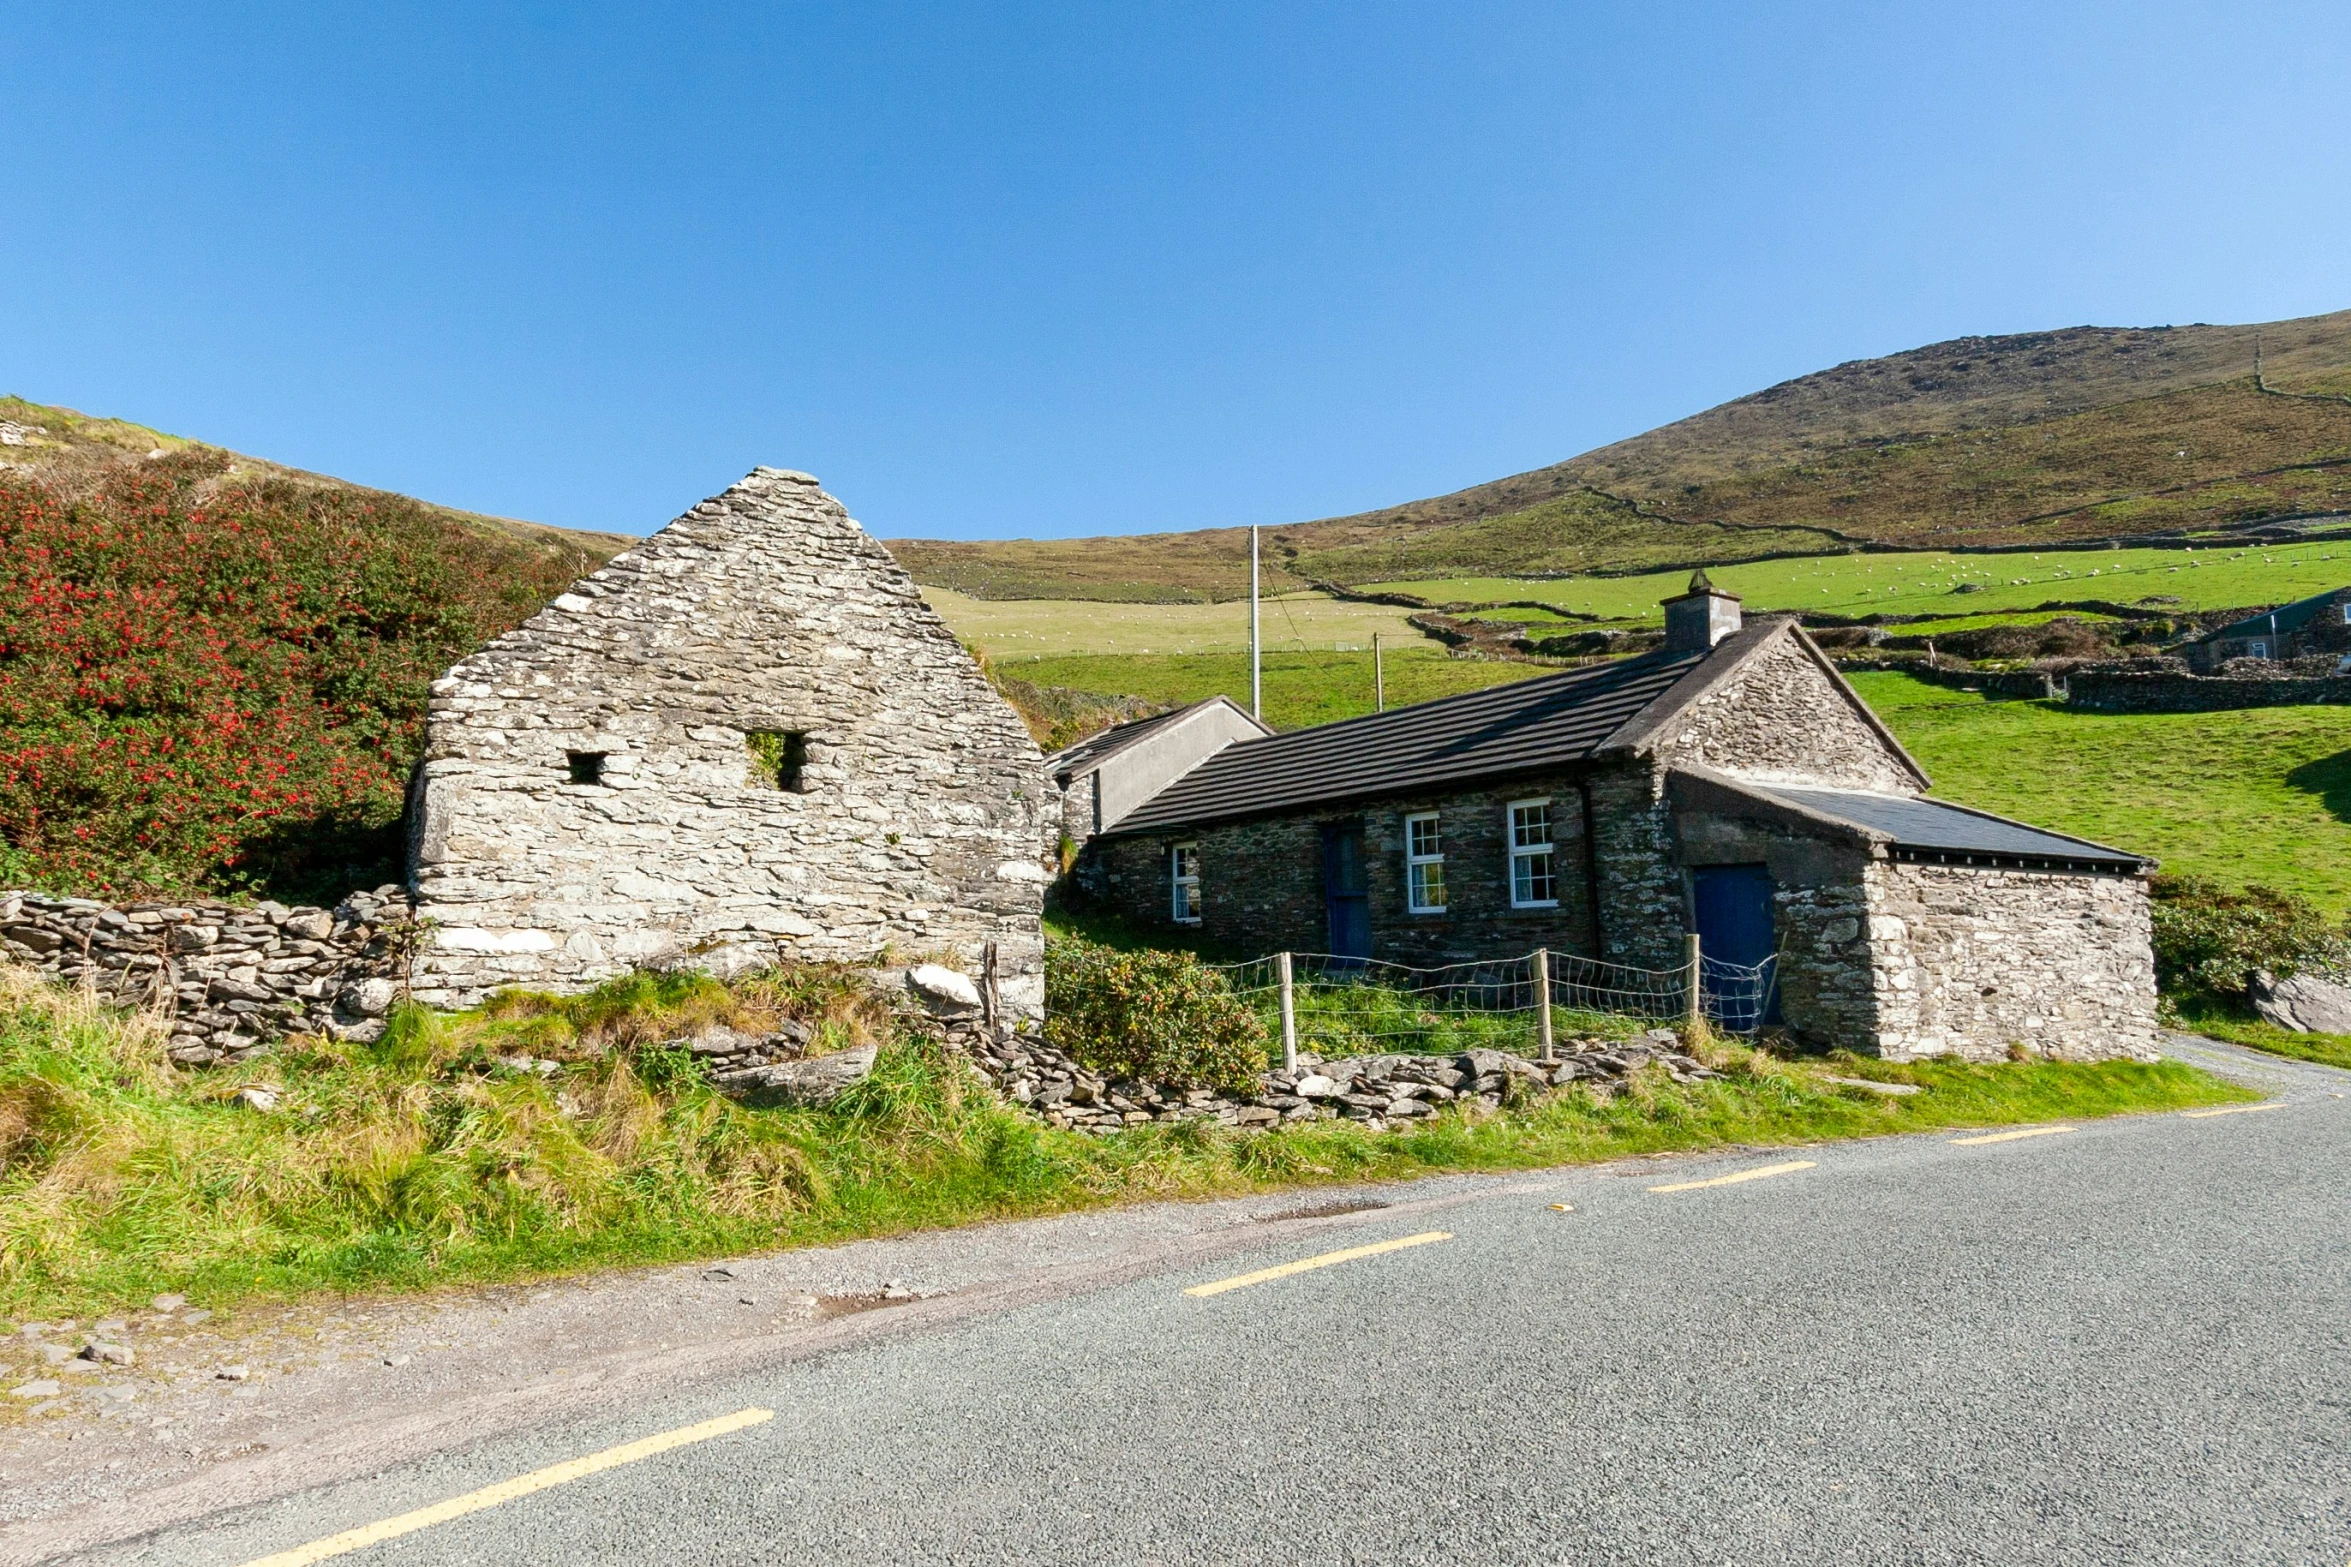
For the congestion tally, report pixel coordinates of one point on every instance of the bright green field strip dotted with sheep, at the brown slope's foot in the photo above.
(1929, 581)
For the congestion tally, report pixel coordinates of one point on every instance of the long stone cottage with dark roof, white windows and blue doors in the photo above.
(1729, 786)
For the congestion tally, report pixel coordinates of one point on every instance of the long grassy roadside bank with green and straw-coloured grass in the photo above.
(429, 1159)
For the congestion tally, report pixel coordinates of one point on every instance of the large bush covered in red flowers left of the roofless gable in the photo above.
(222, 685)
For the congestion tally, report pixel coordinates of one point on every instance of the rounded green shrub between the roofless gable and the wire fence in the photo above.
(1153, 1016)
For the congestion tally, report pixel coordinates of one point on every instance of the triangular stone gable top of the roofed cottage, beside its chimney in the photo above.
(1783, 718)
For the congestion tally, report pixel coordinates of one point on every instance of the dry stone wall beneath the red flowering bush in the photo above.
(229, 981)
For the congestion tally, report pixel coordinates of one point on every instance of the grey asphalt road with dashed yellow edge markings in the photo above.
(2112, 1345)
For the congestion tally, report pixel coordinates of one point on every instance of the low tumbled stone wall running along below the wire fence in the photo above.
(1374, 1091)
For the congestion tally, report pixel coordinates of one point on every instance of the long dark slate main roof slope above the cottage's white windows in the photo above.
(1503, 729)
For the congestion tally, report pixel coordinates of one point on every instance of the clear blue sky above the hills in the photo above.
(1043, 271)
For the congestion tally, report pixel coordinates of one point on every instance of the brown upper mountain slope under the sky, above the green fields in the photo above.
(2035, 438)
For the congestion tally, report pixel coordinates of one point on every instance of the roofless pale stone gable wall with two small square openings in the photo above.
(746, 739)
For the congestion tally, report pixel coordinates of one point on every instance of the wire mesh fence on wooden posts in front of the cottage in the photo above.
(1339, 1007)
